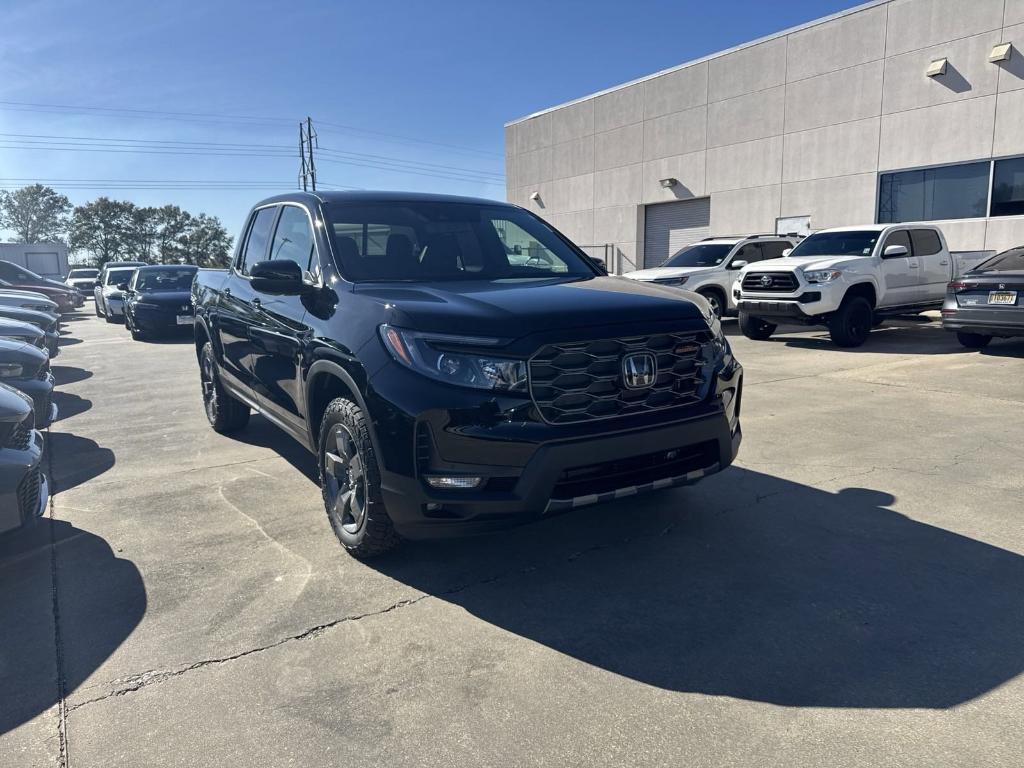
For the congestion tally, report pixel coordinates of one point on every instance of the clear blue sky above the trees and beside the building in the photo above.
(422, 89)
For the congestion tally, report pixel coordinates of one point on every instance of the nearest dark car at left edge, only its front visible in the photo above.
(24, 491)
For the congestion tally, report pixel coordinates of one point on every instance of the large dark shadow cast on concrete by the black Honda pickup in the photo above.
(753, 587)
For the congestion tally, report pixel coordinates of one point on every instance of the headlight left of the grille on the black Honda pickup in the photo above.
(437, 356)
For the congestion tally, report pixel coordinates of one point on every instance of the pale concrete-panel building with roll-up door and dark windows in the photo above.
(893, 111)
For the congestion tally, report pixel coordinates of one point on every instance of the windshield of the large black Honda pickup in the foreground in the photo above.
(438, 241)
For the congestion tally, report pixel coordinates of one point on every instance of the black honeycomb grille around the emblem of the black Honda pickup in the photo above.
(584, 381)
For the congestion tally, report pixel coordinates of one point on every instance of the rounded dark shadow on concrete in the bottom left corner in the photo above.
(102, 602)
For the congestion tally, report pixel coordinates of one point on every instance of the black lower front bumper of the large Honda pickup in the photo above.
(528, 478)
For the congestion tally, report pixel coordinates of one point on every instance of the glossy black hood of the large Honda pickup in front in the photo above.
(509, 310)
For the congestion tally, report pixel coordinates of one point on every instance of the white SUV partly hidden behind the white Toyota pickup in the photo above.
(709, 268)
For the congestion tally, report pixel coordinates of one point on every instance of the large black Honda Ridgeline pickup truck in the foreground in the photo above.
(457, 365)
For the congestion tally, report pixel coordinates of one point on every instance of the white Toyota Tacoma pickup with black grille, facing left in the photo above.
(848, 280)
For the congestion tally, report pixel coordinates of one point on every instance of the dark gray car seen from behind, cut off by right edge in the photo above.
(988, 301)
